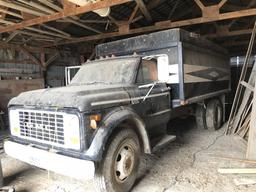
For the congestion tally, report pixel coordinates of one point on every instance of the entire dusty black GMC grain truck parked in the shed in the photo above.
(115, 106)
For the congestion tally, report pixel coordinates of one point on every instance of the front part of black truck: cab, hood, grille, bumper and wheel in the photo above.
(103, 119)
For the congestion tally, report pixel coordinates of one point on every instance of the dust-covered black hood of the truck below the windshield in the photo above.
(83, 97)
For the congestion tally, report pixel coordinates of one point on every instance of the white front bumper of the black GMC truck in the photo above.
(72, 167)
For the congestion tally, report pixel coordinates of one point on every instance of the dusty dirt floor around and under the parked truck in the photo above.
(189, 164)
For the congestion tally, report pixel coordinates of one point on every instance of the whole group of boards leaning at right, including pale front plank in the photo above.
(242, 119)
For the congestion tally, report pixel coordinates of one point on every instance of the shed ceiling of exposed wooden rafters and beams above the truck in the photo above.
(54, 23)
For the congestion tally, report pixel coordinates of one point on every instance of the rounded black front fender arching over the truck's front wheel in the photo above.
(110, 123)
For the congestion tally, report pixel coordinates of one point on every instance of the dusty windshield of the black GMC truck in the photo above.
(112, 71)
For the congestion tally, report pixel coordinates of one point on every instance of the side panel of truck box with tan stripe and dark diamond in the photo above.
(205, 72)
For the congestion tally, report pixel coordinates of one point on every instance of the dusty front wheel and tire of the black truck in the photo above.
(118, 170)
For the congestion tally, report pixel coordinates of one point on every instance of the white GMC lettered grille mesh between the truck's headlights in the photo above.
(42, 126)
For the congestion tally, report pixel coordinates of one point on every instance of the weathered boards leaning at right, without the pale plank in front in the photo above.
(240, 115)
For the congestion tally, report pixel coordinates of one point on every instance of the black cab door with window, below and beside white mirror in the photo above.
(154, 94)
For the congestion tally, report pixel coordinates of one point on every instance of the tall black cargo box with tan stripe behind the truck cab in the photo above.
(198, 68)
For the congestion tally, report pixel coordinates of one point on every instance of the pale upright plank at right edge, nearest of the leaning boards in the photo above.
(251, 148)
